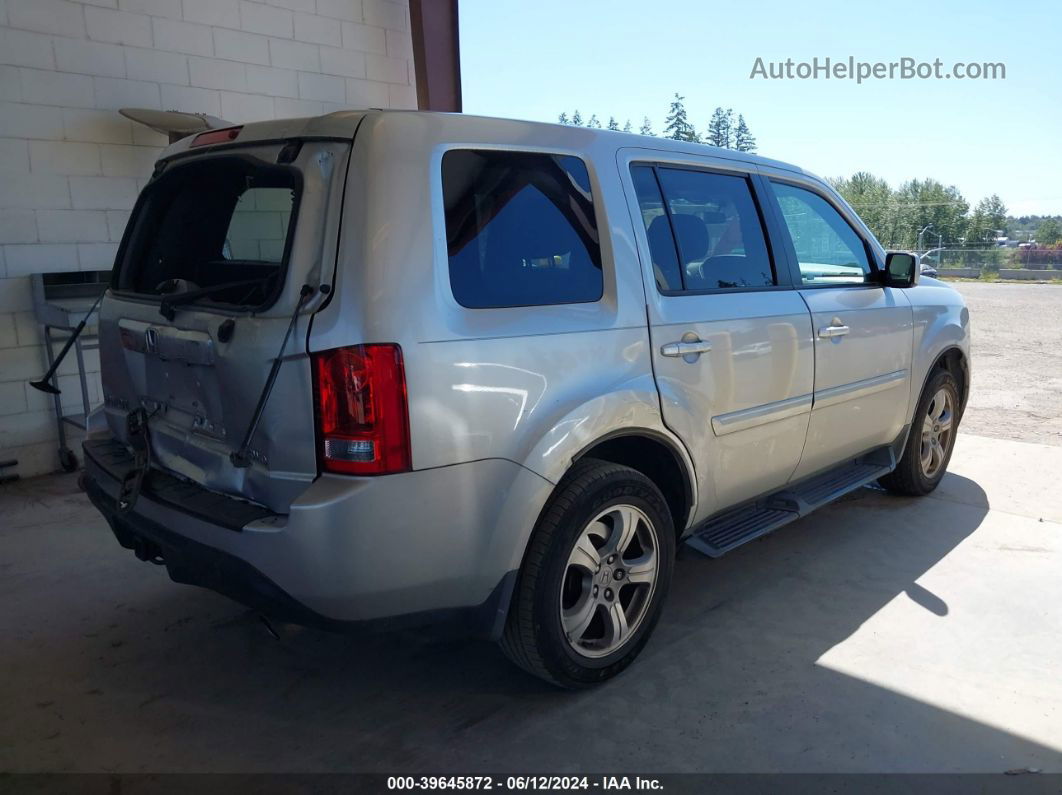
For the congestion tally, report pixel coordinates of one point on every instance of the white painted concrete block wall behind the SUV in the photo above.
(71, 167)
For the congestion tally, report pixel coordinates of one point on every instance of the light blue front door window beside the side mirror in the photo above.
(829, 251)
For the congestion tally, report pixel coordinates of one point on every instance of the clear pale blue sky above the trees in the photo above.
(535, 59)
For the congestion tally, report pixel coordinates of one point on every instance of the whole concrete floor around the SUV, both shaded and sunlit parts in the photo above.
(879, 635)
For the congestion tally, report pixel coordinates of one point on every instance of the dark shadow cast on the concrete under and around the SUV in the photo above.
(122, 670)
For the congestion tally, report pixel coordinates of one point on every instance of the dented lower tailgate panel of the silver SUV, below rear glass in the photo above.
(199, 412)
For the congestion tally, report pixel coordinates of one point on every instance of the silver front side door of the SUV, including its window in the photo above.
(863, 331)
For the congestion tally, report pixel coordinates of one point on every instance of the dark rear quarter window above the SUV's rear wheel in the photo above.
(520, 230)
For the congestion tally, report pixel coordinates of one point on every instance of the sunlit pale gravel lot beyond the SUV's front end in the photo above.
(1017, 347)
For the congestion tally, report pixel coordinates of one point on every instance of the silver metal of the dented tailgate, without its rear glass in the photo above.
(203, 391)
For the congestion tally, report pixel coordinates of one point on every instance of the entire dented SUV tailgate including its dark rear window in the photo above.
(252, 223)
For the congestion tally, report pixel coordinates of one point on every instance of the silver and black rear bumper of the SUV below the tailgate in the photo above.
(436, 549)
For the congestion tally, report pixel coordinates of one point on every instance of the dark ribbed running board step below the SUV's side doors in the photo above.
(731, 529)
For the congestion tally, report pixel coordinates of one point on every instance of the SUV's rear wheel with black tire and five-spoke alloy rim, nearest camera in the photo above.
(594, 579)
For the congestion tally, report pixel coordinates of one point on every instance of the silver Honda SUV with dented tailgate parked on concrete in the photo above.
(412, 369)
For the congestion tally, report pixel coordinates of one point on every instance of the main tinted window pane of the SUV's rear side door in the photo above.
(718, 230)
